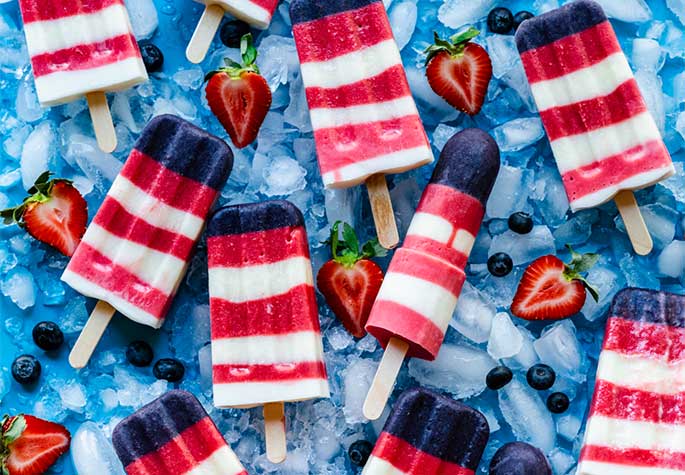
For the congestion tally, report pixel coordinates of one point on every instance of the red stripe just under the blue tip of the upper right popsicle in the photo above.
(561, 57)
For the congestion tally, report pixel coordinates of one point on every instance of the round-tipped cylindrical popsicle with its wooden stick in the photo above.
(420, 289)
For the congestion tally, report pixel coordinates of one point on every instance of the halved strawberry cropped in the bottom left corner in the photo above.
(29, 445)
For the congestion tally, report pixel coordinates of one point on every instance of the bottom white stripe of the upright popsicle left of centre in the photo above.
(235, 394)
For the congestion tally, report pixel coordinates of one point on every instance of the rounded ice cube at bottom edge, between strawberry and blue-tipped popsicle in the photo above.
(92, 453)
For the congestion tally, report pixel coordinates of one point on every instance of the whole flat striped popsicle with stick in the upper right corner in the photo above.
(603, 137)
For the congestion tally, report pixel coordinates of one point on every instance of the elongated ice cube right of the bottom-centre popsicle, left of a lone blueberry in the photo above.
(529, 418)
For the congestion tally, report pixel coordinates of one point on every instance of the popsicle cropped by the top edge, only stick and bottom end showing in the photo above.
(257, 13)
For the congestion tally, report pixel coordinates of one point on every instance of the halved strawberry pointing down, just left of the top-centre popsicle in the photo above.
(239, 96)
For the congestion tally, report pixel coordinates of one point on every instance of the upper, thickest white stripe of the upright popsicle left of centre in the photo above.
(244, 284)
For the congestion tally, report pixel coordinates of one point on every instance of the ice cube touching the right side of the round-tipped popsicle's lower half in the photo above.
(473, 315)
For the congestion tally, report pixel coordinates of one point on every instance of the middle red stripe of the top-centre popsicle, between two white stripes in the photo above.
(388, 85)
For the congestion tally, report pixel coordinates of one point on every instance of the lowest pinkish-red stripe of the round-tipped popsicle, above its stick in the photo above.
(424, 335)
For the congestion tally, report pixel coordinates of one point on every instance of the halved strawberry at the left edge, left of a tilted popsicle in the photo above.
(54, 213)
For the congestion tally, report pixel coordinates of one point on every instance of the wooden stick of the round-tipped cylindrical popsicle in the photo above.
(384, 381)
